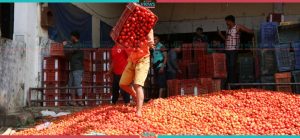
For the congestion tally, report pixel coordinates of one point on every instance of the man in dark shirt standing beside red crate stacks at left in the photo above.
(76, 63)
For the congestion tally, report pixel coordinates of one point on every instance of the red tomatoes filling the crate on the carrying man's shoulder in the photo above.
(136, 28)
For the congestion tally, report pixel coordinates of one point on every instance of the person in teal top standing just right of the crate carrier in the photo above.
(159, 65)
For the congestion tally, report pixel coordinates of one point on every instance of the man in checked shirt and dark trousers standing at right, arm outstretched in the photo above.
(232, 43)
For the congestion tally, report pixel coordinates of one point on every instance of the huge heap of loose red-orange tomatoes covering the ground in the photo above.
(245, 112)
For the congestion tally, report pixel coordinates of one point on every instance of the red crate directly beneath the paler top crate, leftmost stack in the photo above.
(55, 63)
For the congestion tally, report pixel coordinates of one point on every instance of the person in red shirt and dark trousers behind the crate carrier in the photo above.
(119, 57)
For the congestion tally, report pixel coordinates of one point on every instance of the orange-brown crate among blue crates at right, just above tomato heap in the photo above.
(283, 78)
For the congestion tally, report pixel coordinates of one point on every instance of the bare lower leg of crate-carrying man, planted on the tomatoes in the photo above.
(140, 99)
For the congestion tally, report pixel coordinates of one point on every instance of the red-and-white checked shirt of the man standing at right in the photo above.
(232, 39)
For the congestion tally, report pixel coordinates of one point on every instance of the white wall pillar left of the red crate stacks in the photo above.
(27, 29)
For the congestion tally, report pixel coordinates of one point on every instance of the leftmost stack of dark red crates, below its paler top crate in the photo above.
(55, 74)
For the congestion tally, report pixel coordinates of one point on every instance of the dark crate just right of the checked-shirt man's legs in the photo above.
(246, 69)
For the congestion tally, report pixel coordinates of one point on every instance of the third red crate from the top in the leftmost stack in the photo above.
(55, 76)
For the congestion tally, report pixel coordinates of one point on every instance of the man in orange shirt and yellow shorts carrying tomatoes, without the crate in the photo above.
(136, 72)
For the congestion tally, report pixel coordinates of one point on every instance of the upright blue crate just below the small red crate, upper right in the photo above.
(268, 34)
